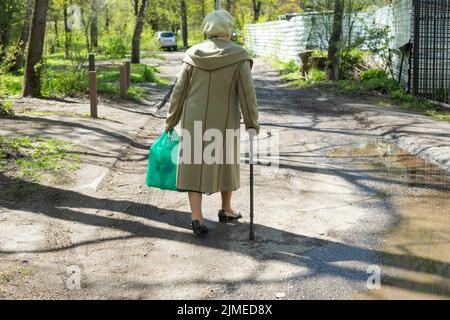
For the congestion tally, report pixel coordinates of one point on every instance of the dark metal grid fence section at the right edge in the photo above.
(431, 50)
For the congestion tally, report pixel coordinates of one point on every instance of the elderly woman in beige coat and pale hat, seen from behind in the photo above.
(214, 81)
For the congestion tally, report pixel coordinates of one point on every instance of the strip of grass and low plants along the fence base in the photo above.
(374, 84)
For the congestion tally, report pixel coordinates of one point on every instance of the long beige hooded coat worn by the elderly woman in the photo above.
(214, 81)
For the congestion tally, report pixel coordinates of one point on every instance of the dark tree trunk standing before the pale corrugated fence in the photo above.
(333, 48)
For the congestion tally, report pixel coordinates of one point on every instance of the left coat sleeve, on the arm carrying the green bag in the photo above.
(178, 97)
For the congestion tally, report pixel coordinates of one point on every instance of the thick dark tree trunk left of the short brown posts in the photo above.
(32, 76)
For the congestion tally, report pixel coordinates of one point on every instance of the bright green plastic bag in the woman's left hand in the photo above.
(162, 162)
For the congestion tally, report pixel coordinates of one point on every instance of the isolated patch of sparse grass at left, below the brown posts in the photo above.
(35, 158)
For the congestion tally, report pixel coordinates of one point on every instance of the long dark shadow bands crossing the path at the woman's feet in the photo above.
(318, 256)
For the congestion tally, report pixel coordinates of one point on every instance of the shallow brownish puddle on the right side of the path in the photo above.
(416, 253)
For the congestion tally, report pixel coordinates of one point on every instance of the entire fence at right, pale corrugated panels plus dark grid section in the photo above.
(420, 31)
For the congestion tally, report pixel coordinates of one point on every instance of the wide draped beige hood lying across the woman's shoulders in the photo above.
(215, 53)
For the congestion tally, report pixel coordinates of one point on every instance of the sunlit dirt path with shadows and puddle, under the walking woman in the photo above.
(342, 203)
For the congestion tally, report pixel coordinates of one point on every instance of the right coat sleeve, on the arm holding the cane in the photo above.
(247, 97)
